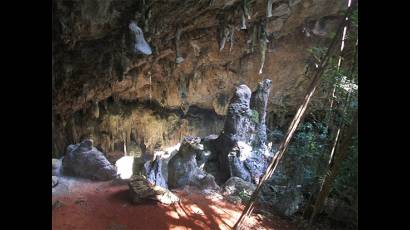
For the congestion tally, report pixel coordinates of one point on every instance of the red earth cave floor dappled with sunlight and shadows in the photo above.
(105, 206)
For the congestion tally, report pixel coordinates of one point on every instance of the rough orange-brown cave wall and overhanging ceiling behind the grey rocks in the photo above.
(103, 90)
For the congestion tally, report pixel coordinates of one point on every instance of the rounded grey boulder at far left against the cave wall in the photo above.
(84, 160)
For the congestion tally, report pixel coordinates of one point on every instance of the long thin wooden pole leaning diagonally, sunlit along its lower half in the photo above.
(294, 124)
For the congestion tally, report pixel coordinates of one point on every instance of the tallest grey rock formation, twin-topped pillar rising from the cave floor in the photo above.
(241, 145)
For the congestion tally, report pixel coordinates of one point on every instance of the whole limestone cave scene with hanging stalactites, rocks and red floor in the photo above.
(175, 114)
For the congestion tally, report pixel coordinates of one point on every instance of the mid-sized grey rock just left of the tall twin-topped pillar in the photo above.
(183, 168)
